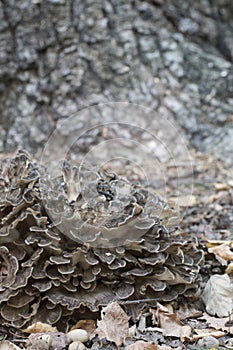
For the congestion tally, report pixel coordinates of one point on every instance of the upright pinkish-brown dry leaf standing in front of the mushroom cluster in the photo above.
(114, 325)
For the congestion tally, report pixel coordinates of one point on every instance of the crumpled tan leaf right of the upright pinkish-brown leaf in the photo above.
(171, 324)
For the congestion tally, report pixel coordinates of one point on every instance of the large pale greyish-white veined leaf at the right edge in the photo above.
(218, 295)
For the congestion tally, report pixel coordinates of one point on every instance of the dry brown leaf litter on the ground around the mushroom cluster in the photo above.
(208, 216)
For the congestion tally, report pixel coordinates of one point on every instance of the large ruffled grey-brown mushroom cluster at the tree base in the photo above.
(79, 240)
